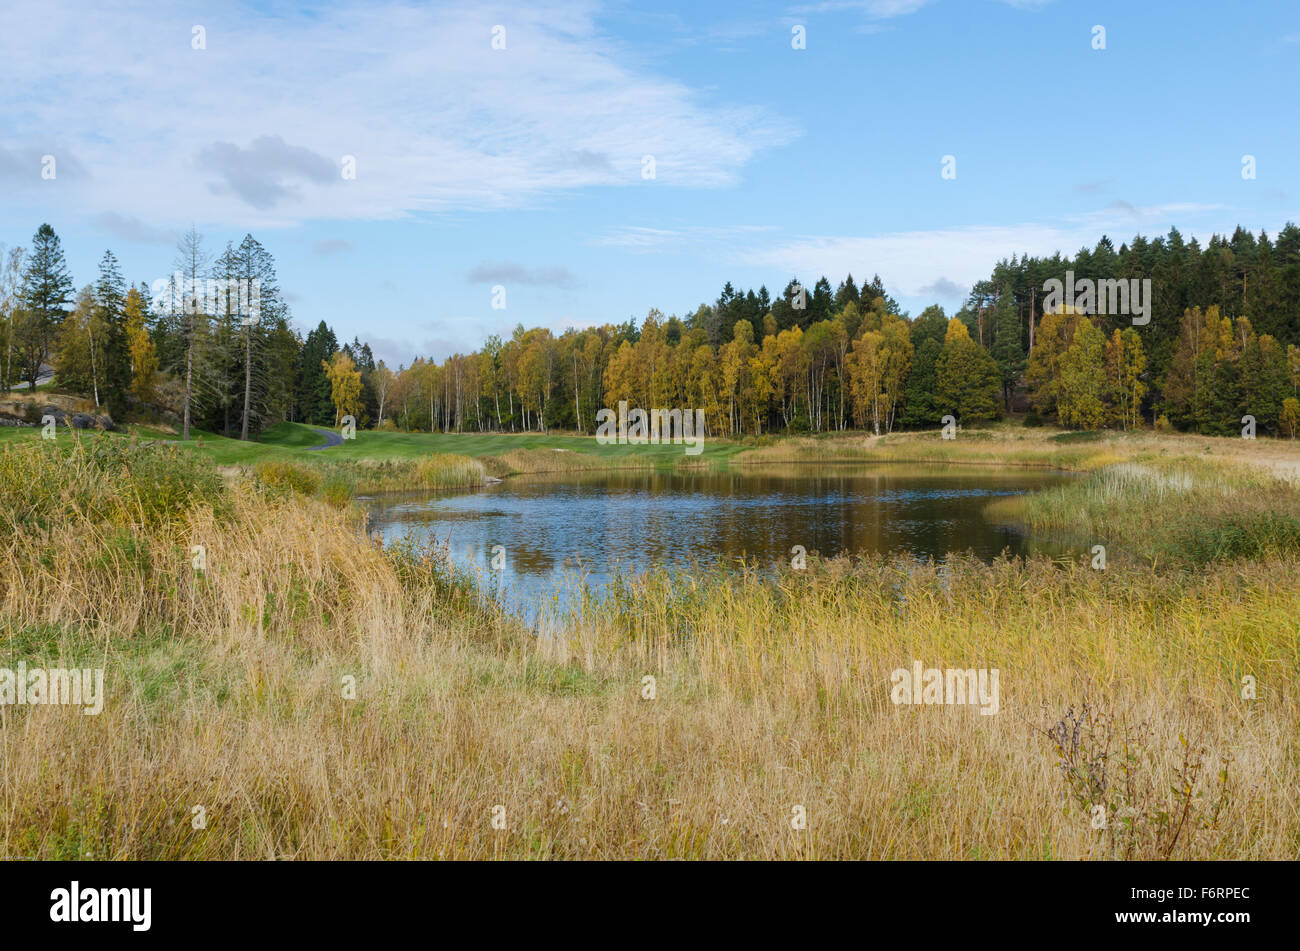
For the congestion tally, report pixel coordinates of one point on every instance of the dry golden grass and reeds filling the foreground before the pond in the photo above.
(227, 693)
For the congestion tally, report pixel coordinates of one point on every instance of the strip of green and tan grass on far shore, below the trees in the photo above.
(382, 462)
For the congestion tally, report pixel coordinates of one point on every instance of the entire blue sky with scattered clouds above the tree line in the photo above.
(523, 167)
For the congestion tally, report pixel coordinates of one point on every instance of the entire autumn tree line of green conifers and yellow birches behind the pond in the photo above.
(1221, 344)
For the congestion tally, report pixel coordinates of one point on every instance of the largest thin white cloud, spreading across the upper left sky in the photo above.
(252, 131)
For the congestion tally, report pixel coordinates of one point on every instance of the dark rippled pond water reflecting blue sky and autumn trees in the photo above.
(630, 522)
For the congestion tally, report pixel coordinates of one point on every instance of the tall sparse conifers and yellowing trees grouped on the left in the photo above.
(223, 362)
